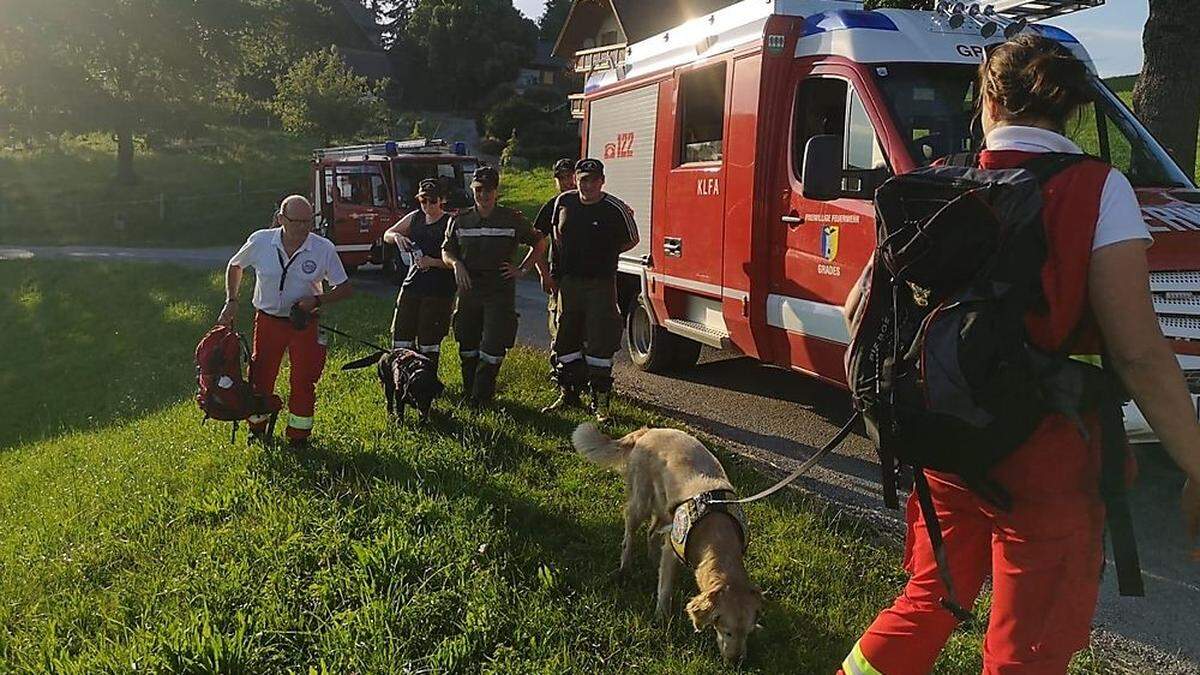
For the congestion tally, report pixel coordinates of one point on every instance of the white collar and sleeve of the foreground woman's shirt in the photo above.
(1120, 218)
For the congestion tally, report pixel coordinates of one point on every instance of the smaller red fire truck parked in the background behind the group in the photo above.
(363, 190)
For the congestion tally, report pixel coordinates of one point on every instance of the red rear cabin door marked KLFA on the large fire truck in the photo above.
(691, 243)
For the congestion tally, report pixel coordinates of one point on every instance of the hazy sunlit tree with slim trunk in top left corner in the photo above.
(125, 67)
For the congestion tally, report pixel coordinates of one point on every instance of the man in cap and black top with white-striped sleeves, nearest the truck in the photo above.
(590, 230)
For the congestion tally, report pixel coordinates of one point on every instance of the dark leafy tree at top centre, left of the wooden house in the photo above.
(461, 50)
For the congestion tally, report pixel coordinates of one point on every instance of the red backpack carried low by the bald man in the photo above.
(224, 393)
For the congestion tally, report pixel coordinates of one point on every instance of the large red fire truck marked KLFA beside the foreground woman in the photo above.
(752, 244)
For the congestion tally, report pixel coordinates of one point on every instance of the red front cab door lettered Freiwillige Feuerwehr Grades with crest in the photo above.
(819, 249)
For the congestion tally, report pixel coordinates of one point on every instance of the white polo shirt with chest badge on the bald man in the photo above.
(281, 283)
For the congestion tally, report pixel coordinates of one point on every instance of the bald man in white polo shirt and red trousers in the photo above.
(291, 265)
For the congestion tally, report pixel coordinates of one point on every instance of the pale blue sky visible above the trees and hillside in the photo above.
(1112, 34)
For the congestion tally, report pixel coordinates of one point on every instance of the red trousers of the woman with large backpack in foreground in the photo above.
(1045, 555)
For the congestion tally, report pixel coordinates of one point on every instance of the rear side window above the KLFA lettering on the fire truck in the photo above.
(703, 101)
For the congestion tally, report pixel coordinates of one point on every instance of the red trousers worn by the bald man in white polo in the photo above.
(273, 338)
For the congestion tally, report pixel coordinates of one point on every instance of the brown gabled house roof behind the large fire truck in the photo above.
(638, 20)
